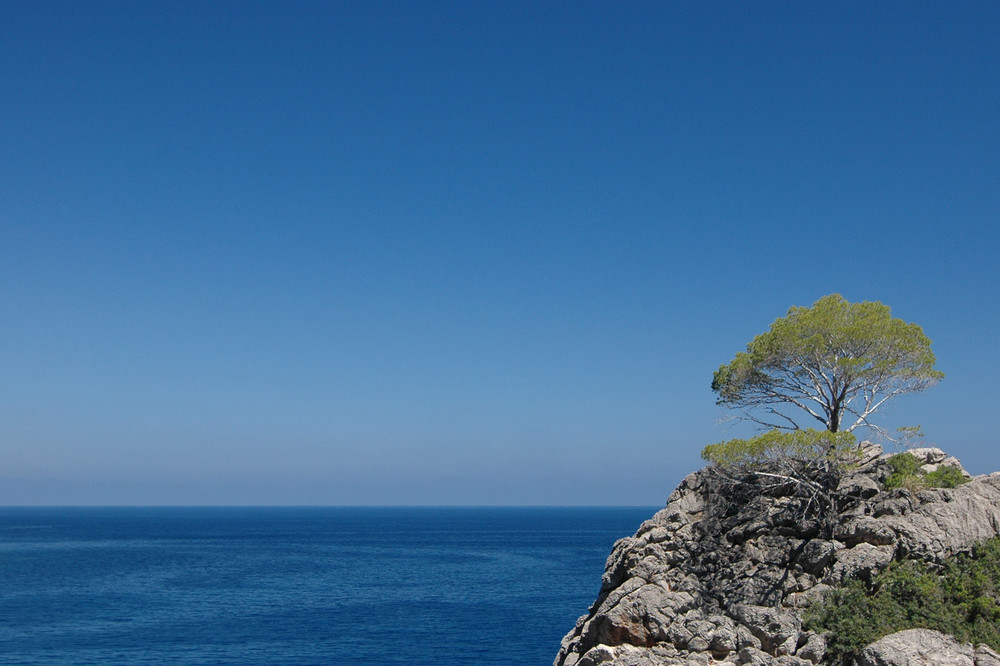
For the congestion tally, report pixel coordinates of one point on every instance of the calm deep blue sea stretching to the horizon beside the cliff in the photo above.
(415, 586)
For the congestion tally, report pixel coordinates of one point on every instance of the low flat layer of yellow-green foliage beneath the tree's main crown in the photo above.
(777, 446)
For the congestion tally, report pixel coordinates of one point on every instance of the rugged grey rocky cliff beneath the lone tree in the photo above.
(723, 574)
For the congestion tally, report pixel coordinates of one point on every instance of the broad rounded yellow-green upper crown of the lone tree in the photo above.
(837, 362)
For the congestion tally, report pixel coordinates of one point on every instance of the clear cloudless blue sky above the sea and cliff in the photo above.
(468, 253)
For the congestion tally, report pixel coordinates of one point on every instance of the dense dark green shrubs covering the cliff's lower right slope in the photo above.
(962, 599)
